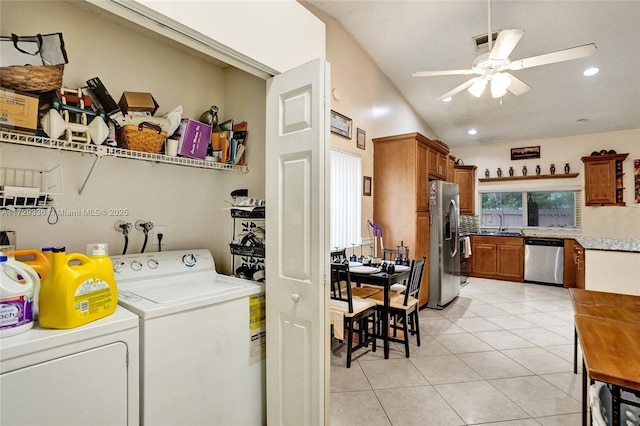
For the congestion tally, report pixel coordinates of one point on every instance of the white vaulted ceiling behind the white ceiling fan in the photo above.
(403, 37)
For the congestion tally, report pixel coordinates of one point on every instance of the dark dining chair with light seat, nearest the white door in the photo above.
(359, 315)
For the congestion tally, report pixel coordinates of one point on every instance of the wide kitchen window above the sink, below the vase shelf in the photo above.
(531, 209)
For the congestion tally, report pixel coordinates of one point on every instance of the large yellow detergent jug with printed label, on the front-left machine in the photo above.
(74, 295)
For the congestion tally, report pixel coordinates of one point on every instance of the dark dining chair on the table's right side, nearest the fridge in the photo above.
(403, 308)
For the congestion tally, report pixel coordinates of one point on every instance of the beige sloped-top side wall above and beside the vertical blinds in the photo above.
(368, 98)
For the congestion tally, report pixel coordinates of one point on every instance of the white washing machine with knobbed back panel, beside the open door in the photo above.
(202, 339)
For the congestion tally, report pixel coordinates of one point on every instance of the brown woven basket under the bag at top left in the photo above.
(32, 78)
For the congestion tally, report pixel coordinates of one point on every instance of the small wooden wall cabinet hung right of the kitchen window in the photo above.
(603, 180)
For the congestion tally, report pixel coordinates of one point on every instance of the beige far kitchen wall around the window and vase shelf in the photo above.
(608, 222)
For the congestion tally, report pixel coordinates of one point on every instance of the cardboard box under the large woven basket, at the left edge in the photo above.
(18, 111)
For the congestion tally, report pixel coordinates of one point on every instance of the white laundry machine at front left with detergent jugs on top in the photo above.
(86, 375)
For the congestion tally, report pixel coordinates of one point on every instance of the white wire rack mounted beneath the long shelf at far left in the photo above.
(28, 189)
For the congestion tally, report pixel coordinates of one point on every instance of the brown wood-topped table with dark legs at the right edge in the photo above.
(608, 327)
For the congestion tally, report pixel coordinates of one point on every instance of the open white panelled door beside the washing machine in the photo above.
(297, 245)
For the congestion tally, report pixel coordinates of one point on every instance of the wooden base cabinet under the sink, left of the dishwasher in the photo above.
(500, 258)
